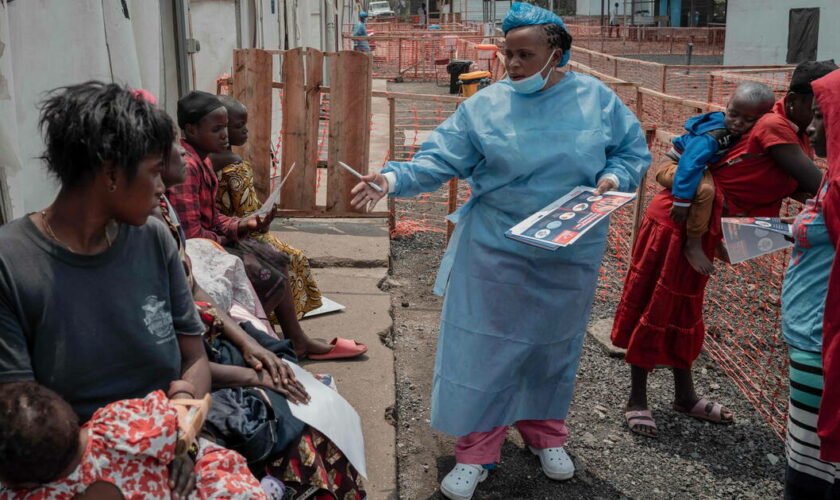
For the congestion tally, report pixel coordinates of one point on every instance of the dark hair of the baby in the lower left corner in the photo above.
(39, 437)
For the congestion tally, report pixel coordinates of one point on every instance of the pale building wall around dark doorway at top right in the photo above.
(757, 30)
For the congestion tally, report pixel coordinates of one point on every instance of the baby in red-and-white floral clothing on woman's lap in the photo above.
(128, 444)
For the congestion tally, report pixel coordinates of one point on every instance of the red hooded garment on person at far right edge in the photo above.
(827, 92)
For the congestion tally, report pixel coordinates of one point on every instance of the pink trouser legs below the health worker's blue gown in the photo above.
(485, 447)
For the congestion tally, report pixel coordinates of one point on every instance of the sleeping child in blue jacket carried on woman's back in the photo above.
(709, 136)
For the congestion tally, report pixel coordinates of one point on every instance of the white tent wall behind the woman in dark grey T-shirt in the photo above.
(52, 43)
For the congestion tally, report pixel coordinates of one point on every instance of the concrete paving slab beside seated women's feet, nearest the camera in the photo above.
(367, 382)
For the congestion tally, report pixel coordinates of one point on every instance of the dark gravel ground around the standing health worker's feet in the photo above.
(691, 459)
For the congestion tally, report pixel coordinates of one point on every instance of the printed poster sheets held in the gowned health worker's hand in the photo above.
(566, 219)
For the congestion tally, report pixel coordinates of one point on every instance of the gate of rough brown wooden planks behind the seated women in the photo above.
(348, 137)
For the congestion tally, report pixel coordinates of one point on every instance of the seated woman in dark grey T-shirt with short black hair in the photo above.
(94, 302)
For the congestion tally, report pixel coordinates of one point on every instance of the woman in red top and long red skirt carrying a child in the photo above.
(660, 317)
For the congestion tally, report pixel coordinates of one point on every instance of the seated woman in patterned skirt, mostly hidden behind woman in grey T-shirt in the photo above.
(246, 357)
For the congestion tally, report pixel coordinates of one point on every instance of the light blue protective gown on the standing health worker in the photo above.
(514, 315)
